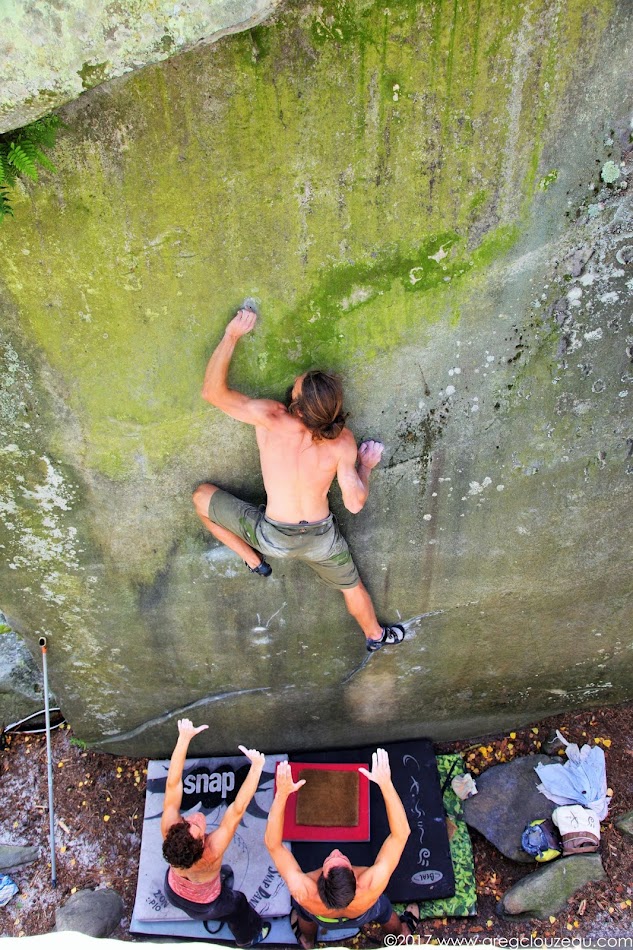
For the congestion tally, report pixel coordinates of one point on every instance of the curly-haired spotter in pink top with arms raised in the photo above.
(194, 881)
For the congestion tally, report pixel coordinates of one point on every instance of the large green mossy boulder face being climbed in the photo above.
(383, 181)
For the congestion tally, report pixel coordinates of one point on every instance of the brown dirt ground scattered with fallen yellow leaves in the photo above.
(99, 802)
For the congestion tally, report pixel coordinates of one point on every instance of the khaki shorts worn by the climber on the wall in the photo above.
(319, 543)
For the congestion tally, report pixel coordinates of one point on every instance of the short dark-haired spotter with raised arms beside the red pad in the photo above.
(338, 894)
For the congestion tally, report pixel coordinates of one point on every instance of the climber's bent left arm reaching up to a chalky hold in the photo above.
(215, 388)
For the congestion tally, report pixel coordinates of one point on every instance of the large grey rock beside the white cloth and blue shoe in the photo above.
(507, 800)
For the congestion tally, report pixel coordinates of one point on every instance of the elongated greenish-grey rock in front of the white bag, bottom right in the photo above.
(546, 891)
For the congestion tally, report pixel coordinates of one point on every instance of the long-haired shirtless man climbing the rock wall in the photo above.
(302, 446)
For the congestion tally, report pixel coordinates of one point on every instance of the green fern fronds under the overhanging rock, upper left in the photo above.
(21, 151)
